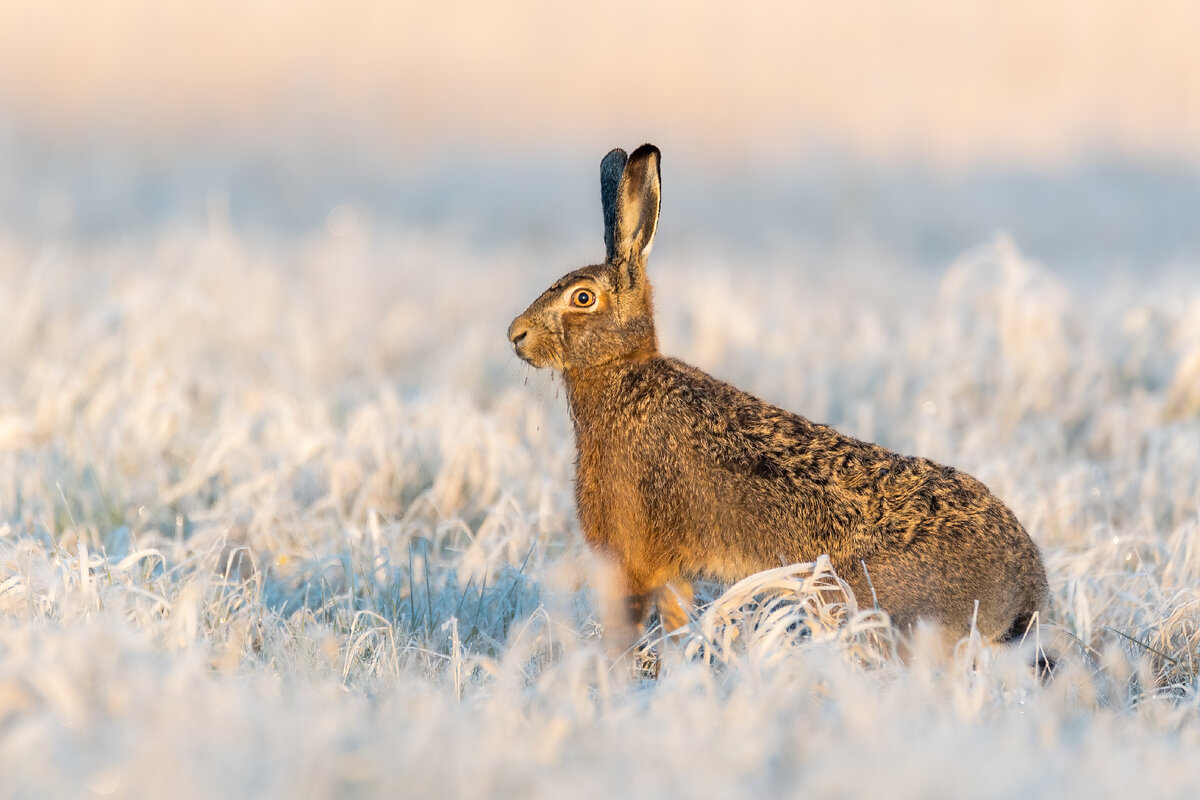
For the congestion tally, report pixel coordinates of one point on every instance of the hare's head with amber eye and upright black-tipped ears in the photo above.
(603, 314)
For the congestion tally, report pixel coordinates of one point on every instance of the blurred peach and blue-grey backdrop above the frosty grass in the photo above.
(915, 130)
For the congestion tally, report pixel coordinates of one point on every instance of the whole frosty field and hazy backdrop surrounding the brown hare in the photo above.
(265, 444)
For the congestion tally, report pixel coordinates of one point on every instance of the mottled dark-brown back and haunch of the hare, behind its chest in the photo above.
(934, 539)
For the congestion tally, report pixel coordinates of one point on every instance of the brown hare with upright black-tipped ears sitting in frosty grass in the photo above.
(680, 476)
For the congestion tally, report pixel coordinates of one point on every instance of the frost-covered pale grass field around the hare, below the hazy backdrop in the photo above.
(289, 520)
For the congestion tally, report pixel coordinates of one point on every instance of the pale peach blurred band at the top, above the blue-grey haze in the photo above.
(951, 82)
